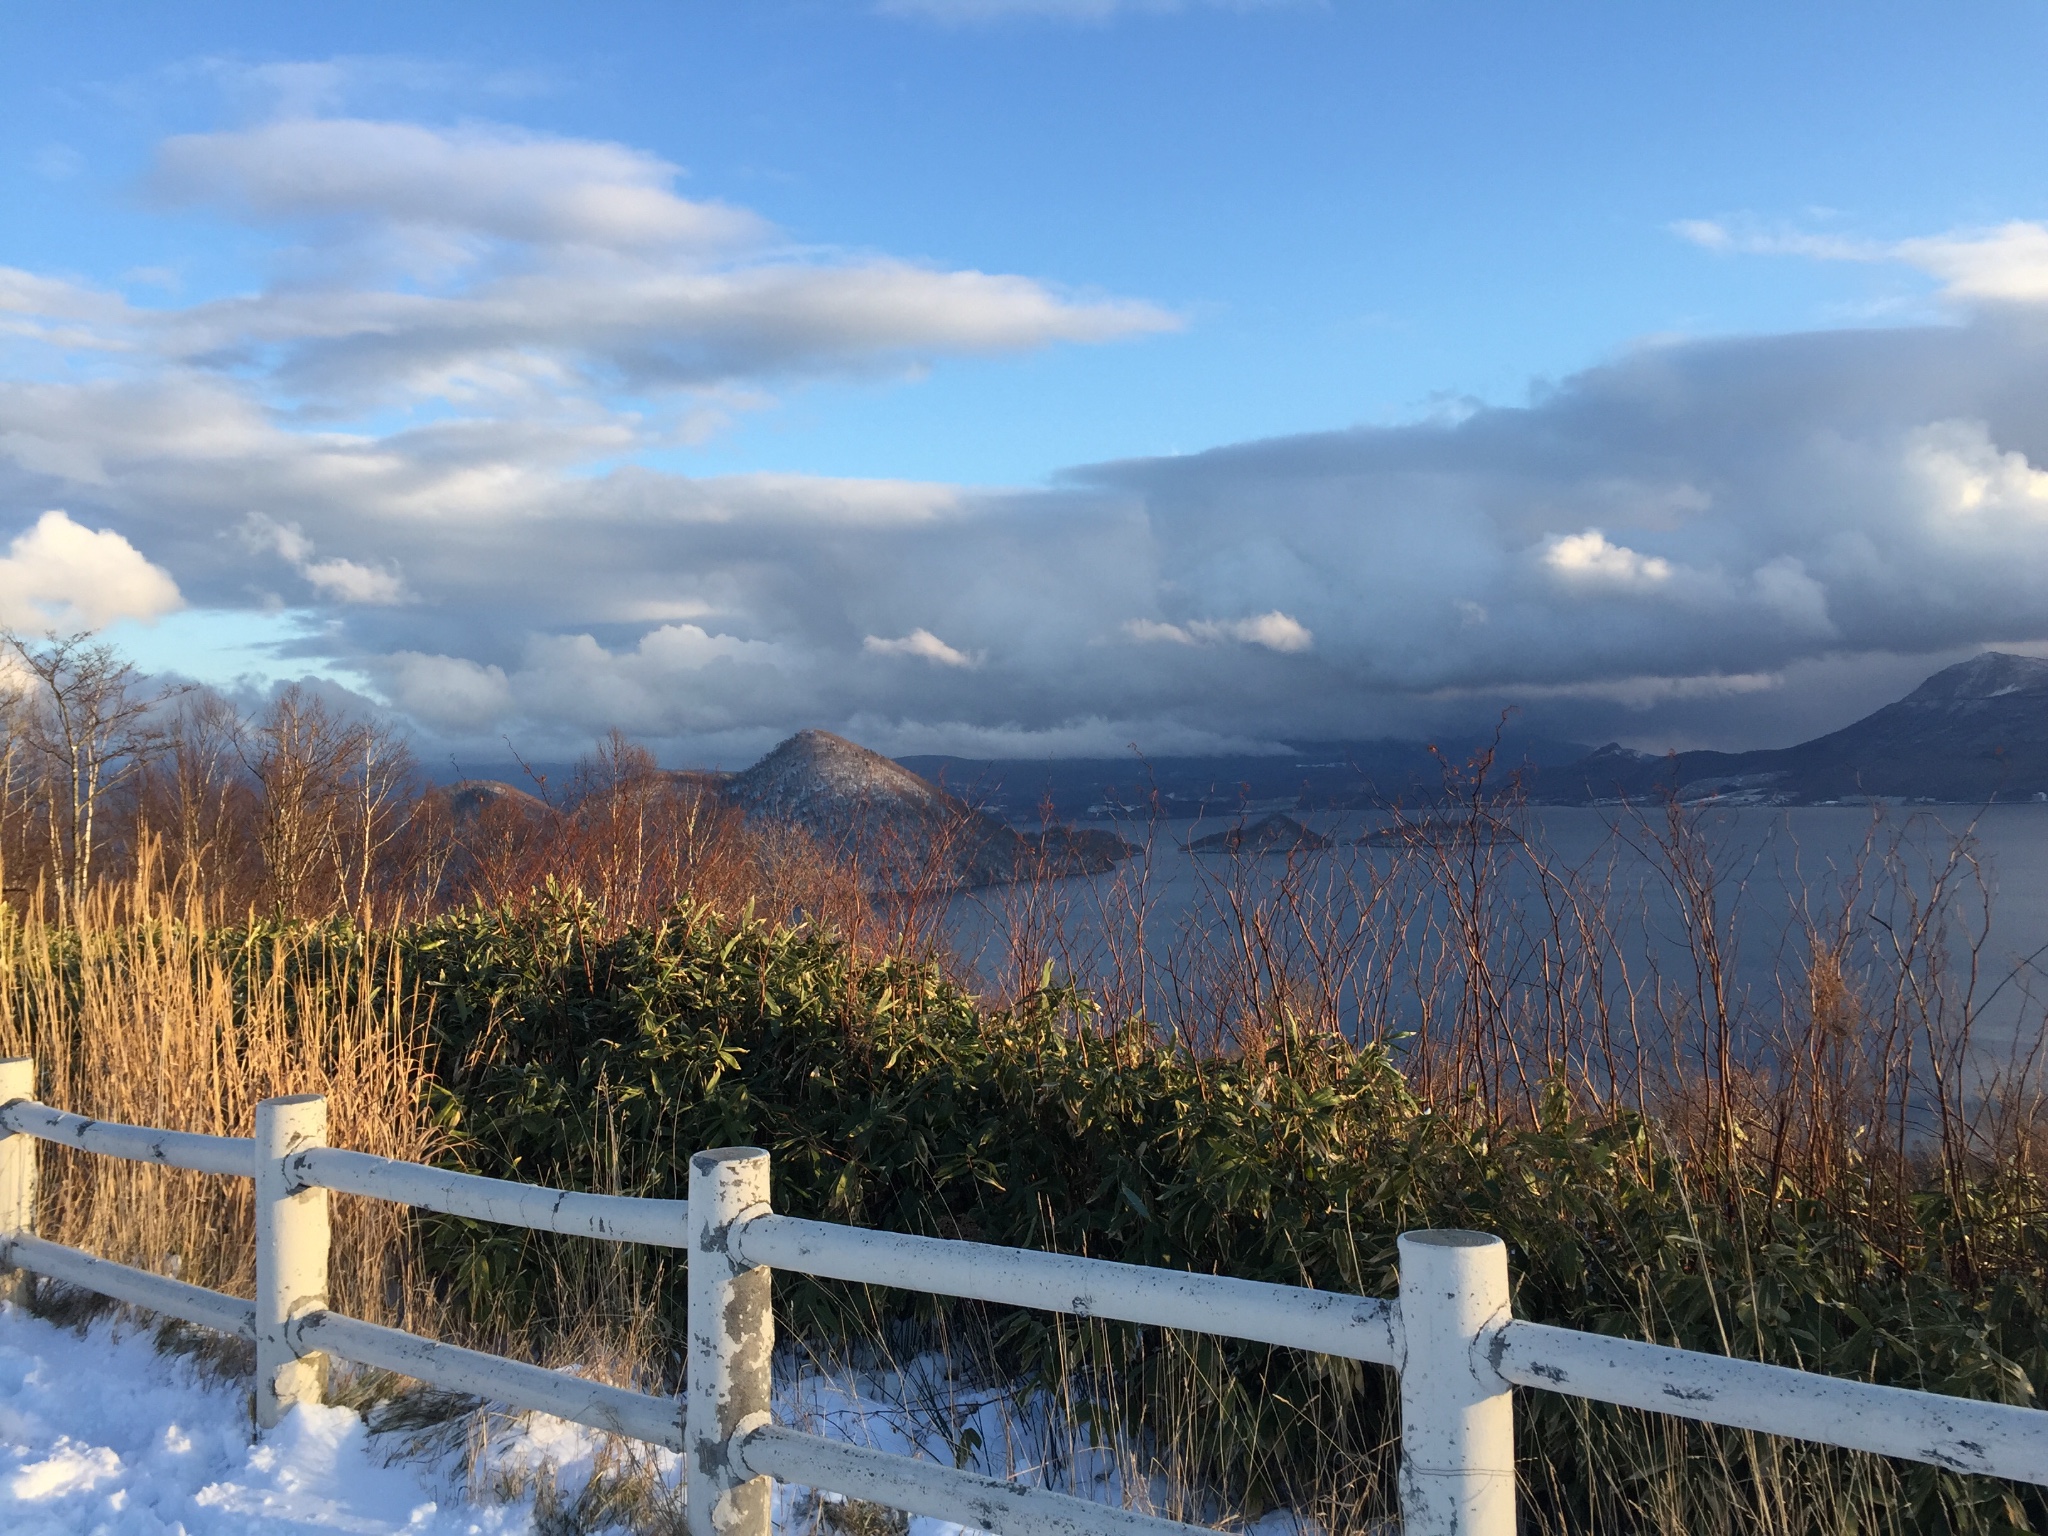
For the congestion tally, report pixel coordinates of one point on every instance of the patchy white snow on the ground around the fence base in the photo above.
(105, 1437)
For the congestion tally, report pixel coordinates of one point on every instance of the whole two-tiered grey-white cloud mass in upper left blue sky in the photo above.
(482, 267)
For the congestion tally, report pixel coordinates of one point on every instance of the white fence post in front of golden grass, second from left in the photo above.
(292, 1254)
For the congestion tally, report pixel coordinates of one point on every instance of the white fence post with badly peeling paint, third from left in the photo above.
(732, 1340)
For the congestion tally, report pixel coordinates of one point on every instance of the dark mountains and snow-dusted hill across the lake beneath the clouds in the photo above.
(1973, 734)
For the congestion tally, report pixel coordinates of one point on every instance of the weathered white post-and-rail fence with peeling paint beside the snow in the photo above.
(1451, 1332)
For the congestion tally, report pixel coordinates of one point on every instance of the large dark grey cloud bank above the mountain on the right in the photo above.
(1762, 505)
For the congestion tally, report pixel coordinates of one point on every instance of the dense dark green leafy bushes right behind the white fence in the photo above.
(890, 1099)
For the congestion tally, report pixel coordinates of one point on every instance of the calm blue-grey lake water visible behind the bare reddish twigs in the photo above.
(1777, 873)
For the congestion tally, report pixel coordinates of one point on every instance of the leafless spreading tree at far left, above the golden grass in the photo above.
(91, 726)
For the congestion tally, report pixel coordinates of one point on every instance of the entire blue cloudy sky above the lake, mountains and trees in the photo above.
(1031, 378)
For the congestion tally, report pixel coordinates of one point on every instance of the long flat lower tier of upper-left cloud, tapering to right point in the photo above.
(587, 325)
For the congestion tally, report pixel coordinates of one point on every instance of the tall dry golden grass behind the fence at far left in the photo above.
(140, 1015)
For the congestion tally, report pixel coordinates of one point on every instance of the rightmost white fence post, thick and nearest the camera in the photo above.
(1457, 1414)
